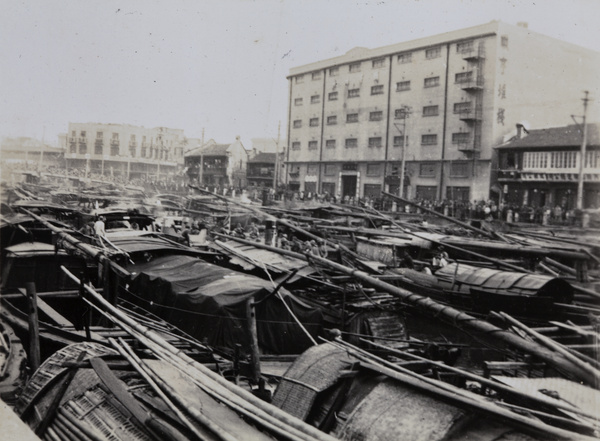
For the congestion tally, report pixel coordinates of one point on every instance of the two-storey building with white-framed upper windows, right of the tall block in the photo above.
(541, 167)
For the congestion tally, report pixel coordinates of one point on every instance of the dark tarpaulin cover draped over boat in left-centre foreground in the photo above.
(209, 303)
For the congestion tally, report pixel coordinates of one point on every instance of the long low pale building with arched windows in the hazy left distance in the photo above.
(127, 151)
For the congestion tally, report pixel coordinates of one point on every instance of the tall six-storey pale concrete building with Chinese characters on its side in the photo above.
(439, 104)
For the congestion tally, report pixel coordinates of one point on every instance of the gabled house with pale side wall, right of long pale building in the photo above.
(222, 165)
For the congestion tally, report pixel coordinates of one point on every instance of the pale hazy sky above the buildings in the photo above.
(218, 65)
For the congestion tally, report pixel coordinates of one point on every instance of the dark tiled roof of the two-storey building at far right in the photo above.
(567, 136)
